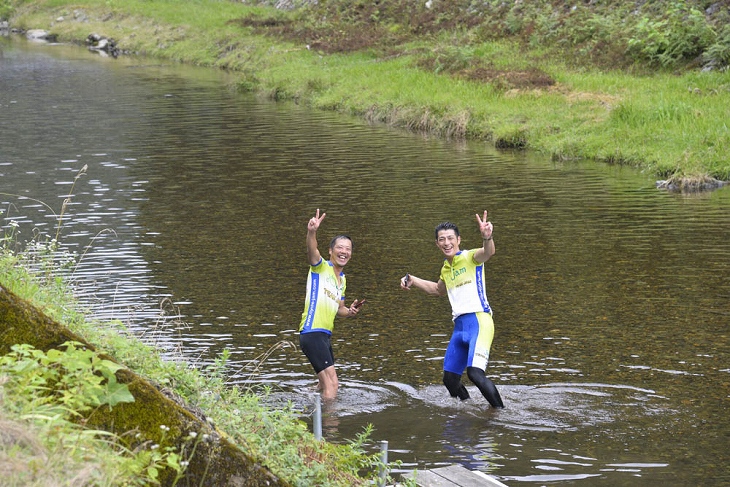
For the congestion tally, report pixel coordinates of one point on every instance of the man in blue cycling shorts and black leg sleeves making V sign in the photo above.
(462, 278)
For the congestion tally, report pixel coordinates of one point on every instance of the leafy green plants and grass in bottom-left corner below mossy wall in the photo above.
(45, 396)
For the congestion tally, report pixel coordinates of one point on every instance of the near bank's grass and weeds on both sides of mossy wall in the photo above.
(45, 396)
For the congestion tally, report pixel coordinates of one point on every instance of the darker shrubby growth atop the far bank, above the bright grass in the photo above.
(610, 33)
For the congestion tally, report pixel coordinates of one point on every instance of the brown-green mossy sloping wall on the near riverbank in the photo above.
(216, 461)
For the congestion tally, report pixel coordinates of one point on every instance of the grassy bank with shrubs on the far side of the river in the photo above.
(571, 83)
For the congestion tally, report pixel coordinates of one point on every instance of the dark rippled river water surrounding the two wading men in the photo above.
(611, 298)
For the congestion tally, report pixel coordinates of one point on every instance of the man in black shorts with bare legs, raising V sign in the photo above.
(325, 300)
